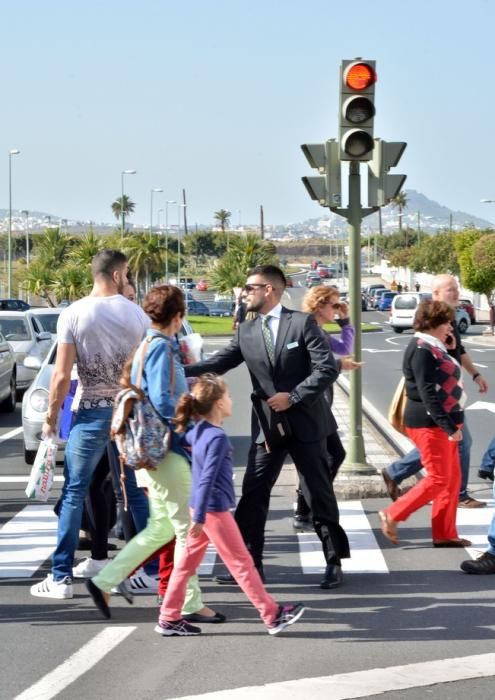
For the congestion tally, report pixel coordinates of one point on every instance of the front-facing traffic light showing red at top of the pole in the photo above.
(357, 109)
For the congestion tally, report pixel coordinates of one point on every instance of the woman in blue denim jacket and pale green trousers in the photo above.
(162, 382)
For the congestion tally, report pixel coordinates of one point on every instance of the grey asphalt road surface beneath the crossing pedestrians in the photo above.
(419, 608)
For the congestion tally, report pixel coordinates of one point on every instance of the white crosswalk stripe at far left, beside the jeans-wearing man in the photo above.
(27, 541)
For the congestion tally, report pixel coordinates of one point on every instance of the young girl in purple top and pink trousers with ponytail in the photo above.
(212, 498)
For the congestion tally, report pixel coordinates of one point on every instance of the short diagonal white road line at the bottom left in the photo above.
(76, 665)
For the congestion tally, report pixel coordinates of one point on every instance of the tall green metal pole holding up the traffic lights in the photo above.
(355, 462)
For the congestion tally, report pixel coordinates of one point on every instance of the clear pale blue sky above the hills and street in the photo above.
(216, 96)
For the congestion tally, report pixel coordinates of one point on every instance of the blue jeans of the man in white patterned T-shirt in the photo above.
(85, 447)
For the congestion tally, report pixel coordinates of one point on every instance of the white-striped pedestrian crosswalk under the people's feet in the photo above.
(28, 539)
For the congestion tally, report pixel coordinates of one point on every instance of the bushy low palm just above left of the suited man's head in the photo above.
(245, 252)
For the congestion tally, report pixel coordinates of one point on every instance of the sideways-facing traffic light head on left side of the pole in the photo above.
(326, 188)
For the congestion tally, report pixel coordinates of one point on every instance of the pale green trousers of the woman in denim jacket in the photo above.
(169, 491)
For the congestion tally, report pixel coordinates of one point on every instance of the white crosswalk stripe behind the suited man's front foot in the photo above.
(366, 555)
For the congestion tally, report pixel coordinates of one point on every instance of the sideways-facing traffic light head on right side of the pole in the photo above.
(382, 187)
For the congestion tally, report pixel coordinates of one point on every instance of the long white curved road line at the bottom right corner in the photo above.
(363, 684)
